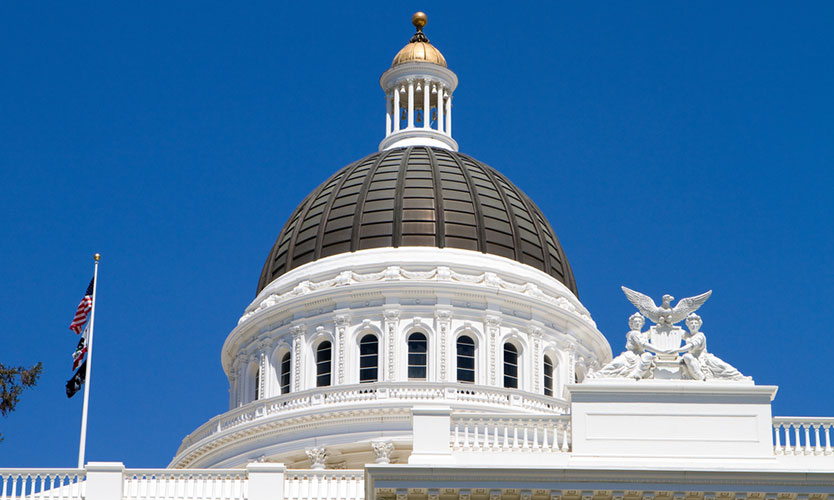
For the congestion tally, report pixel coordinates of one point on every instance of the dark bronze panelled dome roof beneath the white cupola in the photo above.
(418, 196)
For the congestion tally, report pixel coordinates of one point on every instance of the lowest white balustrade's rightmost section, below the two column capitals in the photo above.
(324, 485)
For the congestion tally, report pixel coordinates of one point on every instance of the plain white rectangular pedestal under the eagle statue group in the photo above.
(671, 418)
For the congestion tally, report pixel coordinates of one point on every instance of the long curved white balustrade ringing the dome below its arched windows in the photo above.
(360, 393)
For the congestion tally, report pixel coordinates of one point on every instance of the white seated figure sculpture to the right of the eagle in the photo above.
(696, 361)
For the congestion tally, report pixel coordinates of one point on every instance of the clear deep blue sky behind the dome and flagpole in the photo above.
(675, 147)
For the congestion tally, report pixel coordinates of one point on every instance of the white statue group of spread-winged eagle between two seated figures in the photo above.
(667, 351)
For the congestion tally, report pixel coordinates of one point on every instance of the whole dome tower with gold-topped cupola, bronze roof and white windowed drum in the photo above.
(416, 279)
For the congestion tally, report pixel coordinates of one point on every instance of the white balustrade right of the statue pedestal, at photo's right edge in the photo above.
(802, 435)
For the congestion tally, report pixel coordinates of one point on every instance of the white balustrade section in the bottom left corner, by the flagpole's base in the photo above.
(46, 484)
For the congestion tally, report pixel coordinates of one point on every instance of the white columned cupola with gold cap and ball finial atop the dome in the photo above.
(418, 95)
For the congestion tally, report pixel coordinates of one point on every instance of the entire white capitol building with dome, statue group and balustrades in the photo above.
(417, 334)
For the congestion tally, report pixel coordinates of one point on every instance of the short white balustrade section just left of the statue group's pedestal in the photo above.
(497, 433)
